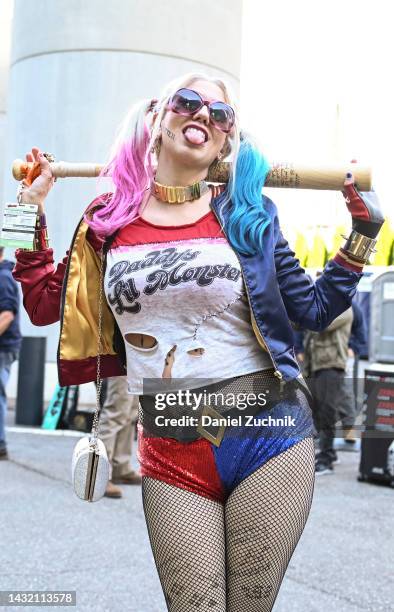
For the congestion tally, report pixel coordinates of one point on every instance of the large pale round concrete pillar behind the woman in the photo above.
(76, 68)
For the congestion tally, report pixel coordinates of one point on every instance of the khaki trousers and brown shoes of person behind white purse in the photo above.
(118, 417)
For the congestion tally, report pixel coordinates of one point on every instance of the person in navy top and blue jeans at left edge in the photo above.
(10, 337)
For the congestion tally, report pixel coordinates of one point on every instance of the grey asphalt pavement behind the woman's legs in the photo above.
(51, 540)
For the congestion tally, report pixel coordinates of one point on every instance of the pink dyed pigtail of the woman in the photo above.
(130, 167)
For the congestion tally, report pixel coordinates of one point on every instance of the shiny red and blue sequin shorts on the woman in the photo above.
(214, 471)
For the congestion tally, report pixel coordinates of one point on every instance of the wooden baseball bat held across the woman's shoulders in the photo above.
(282, 174)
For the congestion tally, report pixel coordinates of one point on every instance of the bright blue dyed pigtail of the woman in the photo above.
(247, 218)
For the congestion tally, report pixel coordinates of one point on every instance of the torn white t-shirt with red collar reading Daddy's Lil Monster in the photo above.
(187, 293)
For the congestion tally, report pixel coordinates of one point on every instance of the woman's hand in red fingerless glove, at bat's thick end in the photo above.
(364, 207)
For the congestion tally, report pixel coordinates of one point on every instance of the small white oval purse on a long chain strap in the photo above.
(90, 465)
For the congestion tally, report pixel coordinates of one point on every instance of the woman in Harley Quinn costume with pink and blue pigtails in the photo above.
(202, 292)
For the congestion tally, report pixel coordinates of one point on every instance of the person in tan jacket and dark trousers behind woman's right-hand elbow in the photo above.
(324, 363)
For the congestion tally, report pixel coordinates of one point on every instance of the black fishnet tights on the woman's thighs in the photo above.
(230, 557)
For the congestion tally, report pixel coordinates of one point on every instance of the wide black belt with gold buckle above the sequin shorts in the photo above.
(184, 429)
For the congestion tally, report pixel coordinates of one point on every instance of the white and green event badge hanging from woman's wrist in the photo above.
(19, 223)
